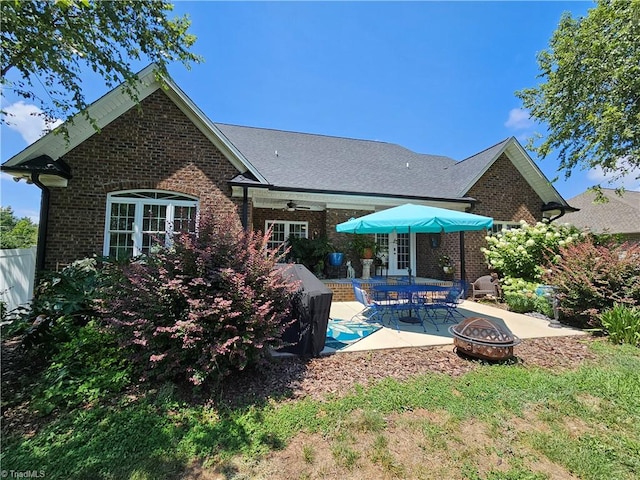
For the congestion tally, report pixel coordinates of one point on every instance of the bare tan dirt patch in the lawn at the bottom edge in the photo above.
(402, 451)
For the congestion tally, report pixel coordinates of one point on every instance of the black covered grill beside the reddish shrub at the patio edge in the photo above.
(309, 312)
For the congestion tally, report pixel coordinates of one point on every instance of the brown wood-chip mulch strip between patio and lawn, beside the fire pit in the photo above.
(298, 377)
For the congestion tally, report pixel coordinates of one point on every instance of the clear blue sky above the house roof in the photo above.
(435, 77)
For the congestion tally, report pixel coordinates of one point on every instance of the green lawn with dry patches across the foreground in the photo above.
(497, 422)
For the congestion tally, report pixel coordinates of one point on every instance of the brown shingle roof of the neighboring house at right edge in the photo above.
(621, 214)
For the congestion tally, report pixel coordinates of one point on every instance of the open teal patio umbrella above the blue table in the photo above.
(410, 218)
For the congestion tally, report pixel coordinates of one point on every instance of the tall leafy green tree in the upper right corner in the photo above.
(590, 97)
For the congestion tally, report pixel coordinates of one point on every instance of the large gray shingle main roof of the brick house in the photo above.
(319, 162)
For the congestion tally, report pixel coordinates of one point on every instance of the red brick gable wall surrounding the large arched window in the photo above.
(154, 147)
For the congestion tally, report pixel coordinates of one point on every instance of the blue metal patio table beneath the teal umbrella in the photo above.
(407, 297)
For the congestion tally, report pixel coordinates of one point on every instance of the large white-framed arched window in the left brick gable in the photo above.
(137, 220)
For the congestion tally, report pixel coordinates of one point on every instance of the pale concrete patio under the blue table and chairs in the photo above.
(413, 335)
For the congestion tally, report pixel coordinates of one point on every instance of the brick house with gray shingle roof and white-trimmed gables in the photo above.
(154, 166)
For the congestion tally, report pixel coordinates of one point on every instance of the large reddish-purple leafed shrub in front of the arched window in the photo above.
(211, 303)
